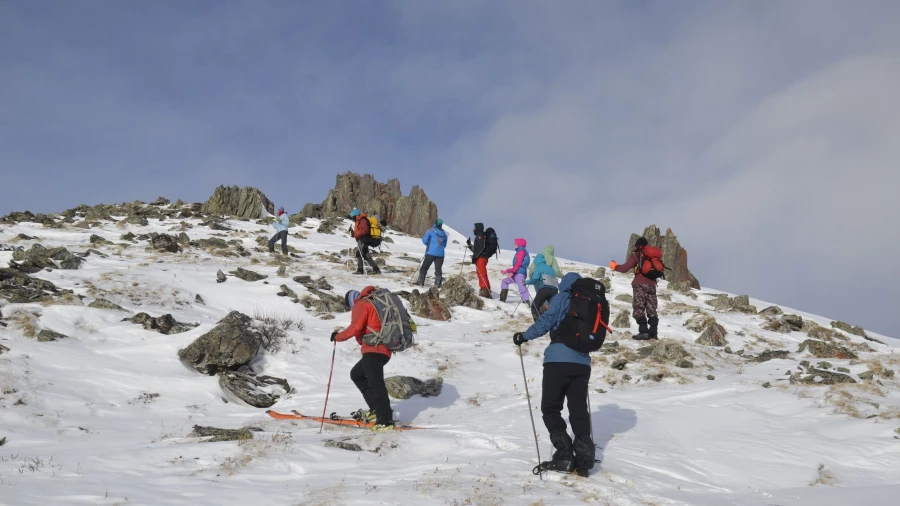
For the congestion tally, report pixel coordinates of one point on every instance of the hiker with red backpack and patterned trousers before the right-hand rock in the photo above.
(648, 267)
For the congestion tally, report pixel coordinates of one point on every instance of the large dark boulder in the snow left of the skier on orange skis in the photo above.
(232, 343)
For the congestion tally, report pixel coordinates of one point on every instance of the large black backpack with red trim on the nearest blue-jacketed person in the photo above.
(584, 326)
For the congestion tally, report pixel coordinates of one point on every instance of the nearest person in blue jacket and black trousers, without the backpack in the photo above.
(566, 376)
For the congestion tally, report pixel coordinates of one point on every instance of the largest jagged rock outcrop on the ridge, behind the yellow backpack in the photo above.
(412, 214)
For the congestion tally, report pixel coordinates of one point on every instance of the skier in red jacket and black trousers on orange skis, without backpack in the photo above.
(368, 373)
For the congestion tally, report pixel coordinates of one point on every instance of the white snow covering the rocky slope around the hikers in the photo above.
(81, 429)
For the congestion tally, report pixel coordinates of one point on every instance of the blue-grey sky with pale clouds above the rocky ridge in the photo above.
(764, 133)
